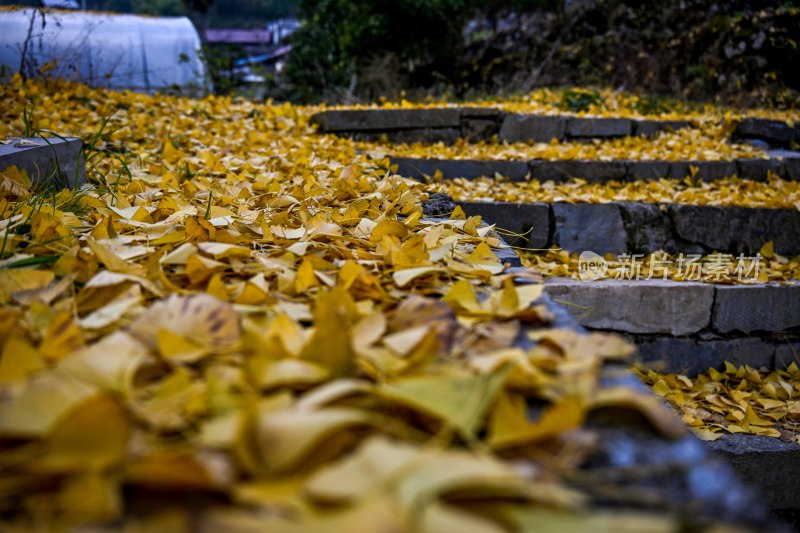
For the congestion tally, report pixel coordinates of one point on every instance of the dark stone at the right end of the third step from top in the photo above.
(737, 229)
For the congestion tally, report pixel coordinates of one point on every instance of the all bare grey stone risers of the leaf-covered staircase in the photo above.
(684, 327)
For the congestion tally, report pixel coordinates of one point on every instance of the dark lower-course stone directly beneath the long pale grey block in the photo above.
(691, 357)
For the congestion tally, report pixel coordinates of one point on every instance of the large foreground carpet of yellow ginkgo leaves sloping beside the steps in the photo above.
(245, 326)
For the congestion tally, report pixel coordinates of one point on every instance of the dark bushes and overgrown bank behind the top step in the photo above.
(741, 51)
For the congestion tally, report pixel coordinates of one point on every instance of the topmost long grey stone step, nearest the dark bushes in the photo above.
(480, 124)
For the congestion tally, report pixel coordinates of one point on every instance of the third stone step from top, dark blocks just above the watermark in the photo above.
(636, 227)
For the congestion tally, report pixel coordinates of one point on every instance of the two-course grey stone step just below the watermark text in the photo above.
(689, 327)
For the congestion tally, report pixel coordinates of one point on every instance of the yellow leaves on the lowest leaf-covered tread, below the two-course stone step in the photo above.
(735, 400)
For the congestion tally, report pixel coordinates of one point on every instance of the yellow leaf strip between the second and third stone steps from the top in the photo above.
(773, 193)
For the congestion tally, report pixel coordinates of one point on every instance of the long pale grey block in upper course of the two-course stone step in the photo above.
(658, 306)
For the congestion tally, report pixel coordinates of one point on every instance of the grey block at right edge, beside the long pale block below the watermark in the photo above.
(748, 308)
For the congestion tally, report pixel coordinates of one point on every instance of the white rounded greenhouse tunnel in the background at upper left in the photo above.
(116, 51)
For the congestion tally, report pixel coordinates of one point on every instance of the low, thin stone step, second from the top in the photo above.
(783, 163)
